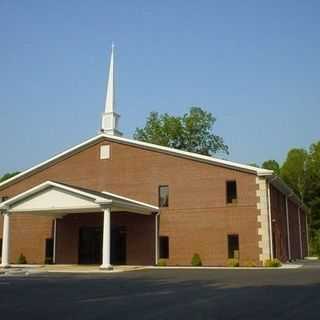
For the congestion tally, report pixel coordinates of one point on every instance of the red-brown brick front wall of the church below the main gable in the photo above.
(198, 219)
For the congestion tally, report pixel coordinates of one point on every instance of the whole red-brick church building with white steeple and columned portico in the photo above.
(112, 200)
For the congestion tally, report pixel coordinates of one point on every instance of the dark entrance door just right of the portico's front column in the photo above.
(118, 245)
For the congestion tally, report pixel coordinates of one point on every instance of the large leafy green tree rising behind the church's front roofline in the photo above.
(191, 132)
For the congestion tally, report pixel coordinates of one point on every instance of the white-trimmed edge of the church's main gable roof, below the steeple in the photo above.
(144, 145)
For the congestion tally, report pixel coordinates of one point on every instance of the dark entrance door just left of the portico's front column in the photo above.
(90, 245)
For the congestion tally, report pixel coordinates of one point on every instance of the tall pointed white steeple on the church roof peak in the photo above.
(110, 118)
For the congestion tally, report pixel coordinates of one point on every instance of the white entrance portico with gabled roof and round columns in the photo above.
(59, 200)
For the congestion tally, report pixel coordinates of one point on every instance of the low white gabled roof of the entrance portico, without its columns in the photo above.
(58, 199)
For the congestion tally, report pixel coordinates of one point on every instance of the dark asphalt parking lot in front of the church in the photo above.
(165, 294)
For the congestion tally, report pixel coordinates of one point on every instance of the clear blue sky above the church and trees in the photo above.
(253, 64)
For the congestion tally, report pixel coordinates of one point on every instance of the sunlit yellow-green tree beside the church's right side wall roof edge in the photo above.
(293, 171)
